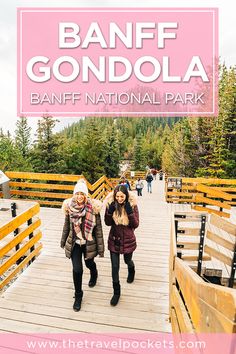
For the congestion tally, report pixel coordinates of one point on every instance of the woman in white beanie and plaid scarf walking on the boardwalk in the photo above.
(82, 236)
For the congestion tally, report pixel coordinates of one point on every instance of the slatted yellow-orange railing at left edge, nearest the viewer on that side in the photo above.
(19, 243)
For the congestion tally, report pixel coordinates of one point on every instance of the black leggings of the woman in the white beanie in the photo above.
(76, 258)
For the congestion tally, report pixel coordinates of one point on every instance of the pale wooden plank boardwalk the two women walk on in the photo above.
(41, 299)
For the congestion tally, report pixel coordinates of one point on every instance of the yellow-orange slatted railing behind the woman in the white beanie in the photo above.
(52, 189)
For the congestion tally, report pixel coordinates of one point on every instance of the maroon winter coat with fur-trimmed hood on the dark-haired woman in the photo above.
(121, 237)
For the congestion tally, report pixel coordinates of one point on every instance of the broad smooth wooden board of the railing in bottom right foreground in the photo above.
(211, 307)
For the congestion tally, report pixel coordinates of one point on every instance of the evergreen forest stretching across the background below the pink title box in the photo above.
(94, 147)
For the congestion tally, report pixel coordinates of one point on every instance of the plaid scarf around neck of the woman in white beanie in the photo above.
(77, 212)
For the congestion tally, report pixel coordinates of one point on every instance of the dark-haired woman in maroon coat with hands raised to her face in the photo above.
(123, 217)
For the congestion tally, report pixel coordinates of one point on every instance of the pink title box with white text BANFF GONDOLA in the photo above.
(117, 61)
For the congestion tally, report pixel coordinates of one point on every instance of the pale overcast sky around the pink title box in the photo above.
(8, 65)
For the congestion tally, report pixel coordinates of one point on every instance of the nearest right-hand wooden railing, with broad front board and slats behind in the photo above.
(195, 305)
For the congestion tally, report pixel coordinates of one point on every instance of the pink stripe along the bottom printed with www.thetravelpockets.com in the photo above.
(145, 343)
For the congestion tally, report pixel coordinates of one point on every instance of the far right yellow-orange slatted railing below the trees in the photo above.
(203, 192)
